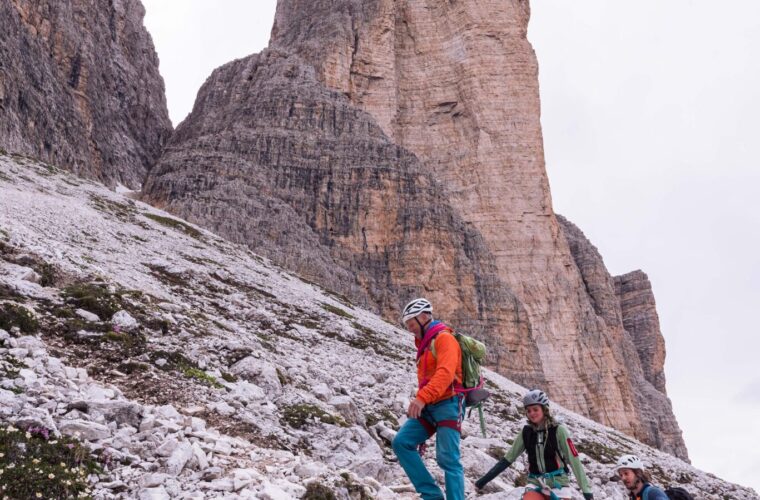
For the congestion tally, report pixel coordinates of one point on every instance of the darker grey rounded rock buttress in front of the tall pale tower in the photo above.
(271, 158)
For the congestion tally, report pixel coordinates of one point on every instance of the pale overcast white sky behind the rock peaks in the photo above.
(650, 115)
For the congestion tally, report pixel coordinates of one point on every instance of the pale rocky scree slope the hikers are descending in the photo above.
(189, 367)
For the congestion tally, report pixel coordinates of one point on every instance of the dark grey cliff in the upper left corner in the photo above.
(80, 88)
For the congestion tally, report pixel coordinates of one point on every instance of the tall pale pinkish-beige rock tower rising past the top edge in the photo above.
(456, 84)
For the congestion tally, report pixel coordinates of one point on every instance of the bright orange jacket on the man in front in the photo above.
(437, 374)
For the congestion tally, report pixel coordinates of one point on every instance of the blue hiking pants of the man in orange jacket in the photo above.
(413, 433)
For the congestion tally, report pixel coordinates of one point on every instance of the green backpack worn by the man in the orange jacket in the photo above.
(473, 356)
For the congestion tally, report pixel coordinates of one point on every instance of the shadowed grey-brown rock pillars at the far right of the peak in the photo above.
(627, 302)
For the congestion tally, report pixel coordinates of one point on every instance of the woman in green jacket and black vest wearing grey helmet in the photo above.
(550, 451)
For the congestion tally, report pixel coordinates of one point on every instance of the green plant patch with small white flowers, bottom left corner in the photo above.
(35, 464)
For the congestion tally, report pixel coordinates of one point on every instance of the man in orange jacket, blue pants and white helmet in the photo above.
(437, 409)
